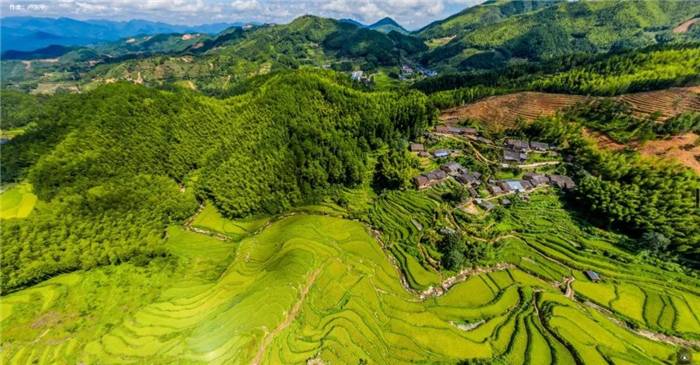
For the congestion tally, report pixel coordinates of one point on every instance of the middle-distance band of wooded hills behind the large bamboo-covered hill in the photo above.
(217, 62)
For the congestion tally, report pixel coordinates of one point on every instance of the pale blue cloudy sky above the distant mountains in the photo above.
(411, 13)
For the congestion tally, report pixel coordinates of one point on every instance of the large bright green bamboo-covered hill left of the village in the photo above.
(110, 162)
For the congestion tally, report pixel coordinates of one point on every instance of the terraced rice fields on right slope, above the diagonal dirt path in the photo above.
(552, 247)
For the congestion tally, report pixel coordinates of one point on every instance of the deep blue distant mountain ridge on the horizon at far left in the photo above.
(31, 33)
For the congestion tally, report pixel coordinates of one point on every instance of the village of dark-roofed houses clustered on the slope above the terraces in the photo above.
(488, 191)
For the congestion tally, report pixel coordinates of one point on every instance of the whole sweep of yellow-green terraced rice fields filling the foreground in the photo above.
(310, 287)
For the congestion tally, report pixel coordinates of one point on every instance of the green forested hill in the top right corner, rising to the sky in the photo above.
(528, 32)
